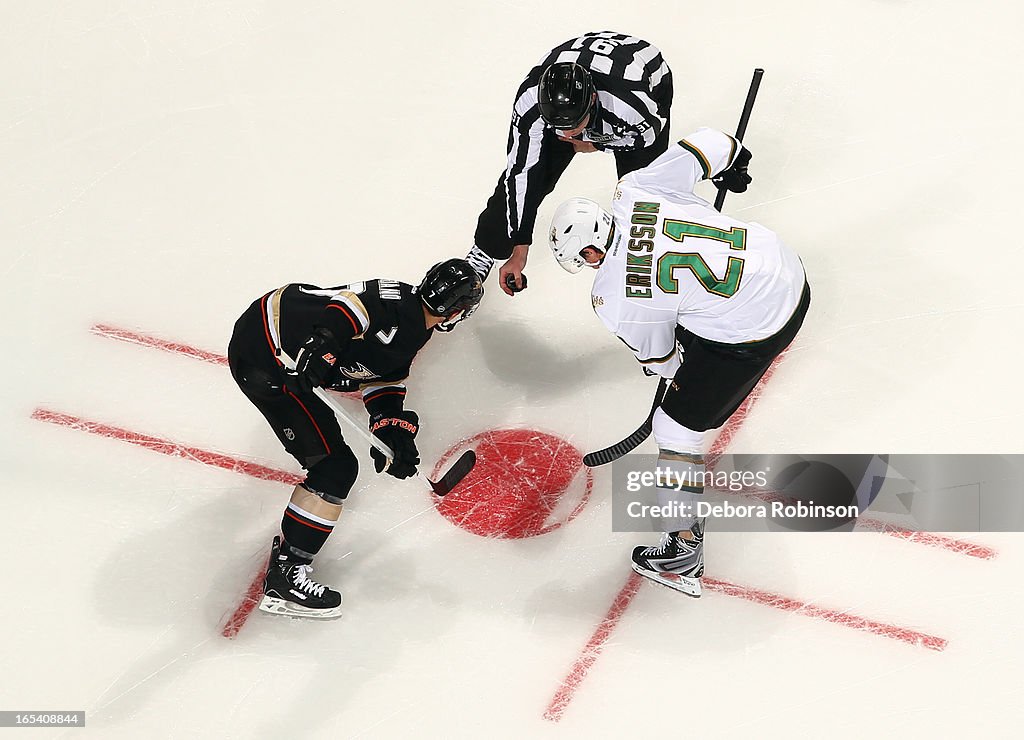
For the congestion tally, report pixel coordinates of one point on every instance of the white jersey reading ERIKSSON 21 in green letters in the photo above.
(676, 260)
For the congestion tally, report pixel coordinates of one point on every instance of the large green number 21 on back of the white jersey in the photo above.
(670, 262)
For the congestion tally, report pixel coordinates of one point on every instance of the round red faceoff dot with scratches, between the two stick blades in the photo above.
(525, 484)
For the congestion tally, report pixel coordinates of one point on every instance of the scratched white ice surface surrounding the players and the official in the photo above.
(167, 163)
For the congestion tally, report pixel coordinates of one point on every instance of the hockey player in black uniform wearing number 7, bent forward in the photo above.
(358, 337)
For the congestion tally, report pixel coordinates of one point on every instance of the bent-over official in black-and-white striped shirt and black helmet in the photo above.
(601, 93)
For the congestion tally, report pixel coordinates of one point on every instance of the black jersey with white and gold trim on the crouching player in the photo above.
(380, 326)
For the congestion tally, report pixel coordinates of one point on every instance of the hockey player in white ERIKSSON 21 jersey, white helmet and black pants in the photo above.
(701, 298)
